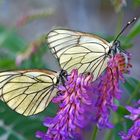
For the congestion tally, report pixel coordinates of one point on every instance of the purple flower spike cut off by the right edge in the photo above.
(134, 131)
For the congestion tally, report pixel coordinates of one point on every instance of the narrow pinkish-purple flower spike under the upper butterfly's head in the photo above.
(107, 89)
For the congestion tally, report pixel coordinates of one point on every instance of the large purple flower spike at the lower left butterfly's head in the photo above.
(75, 104)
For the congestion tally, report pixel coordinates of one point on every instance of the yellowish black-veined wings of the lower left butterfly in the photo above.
(28, 92)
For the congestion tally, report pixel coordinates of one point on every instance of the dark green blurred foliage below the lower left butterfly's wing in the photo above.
(14, 126)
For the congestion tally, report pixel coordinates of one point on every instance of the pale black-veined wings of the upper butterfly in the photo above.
(86, 52)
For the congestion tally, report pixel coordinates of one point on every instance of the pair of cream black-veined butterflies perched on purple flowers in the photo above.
(29, 92)
